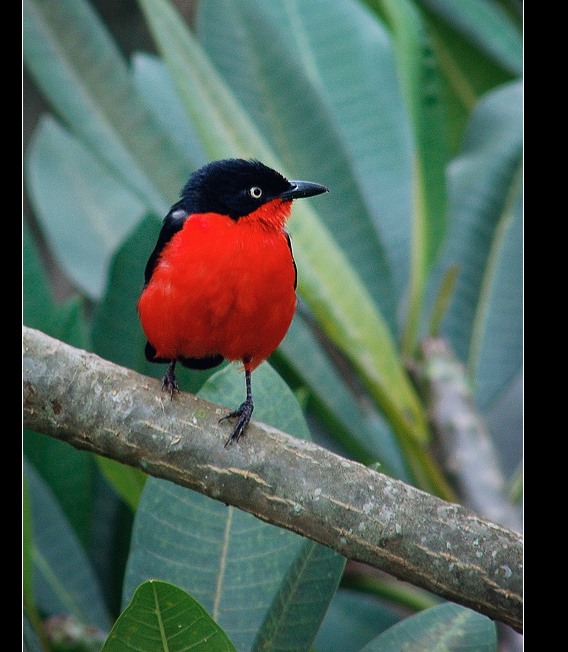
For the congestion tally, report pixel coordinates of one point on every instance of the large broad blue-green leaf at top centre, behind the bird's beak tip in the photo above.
(329, 112)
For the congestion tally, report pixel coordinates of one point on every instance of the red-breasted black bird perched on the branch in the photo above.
(221, 281)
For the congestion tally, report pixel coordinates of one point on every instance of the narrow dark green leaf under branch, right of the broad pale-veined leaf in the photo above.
(299, 606)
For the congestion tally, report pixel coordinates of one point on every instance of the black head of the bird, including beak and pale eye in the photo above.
(236, 187)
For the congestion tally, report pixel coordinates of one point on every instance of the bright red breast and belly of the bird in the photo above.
(220, 287)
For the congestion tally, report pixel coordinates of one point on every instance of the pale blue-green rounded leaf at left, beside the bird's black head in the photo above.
(84, 211)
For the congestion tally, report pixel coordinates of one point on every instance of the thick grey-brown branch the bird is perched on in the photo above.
(364, 515)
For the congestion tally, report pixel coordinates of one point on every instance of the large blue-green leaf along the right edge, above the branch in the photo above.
(484, 322)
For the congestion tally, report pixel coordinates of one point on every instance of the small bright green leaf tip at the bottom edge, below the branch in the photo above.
(161, 616)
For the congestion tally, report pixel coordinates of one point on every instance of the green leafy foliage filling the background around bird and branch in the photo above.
(410, 111)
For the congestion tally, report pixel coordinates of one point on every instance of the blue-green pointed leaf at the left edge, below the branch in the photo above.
(63, 580)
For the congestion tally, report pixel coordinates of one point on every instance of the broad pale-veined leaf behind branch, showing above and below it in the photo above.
(231, 562)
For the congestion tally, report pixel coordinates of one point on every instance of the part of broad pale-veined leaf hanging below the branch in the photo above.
(229, 561)
